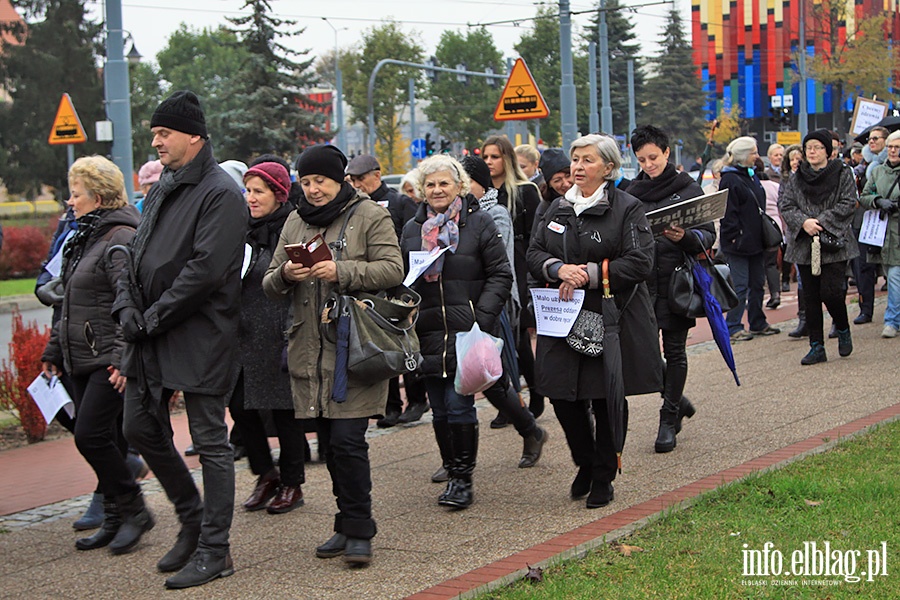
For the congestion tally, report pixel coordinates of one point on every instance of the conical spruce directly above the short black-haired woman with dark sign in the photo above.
(675, 99)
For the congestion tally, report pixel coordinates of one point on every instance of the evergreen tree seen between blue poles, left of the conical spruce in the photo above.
(622, 48)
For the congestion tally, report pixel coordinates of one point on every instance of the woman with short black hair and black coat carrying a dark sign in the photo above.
(659, 185)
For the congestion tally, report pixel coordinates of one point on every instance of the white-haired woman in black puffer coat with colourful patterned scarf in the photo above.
(469, 283)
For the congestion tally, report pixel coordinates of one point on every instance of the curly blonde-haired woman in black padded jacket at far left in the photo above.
(87, 343)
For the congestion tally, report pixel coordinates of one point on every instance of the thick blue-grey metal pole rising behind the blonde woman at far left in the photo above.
(118, 99)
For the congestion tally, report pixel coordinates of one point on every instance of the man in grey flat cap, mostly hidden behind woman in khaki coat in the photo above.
(365, 175)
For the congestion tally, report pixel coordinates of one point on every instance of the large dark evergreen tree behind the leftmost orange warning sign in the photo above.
(59, 55)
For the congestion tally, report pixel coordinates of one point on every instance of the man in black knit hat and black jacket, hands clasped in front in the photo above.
(179, 308)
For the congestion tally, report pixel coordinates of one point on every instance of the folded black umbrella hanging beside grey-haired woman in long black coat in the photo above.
(612, 366)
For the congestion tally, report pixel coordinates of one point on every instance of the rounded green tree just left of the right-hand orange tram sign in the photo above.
(464, 111)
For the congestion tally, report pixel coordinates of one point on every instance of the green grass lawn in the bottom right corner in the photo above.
(848, 497)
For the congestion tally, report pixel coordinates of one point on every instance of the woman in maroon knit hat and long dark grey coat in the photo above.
(260, 383)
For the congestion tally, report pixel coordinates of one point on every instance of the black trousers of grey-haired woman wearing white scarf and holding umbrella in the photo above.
(589, 439)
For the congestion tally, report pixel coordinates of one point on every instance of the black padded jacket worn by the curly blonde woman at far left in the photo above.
(86, 337)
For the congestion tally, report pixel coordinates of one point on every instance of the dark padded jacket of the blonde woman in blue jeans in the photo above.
(740, 230)
